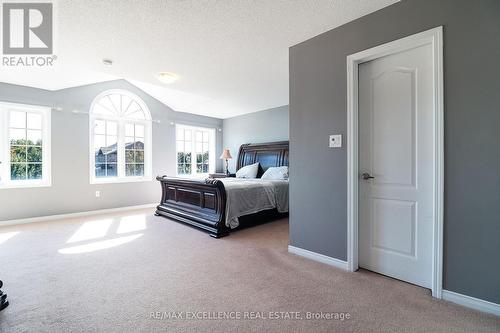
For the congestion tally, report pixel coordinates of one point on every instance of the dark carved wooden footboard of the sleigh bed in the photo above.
(200, 203)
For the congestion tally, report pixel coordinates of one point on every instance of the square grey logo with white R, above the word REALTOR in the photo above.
(27, 28)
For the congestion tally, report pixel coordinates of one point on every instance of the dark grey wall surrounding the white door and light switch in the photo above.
(472, 134)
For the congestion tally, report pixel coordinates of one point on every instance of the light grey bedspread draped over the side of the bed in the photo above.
(248, 196)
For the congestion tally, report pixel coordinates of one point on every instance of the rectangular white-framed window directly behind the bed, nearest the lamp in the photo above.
(195, 150)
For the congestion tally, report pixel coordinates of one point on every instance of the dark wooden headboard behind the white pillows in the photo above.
(270, 154)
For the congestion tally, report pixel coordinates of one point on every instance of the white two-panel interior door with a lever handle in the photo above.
(397, 149)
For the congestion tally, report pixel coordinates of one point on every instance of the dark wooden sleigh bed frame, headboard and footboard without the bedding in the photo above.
(202, 203)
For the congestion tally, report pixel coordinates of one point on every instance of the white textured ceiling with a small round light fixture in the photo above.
(231, 55)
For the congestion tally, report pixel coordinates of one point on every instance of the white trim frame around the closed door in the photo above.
(435, 38)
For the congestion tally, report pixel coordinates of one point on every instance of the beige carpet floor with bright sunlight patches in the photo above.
(109, 273)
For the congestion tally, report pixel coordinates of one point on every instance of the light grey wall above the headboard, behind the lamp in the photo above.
(258, 127)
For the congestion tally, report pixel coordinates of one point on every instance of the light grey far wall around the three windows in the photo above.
(71, 190)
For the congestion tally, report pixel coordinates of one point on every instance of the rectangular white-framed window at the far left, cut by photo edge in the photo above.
(24, 145)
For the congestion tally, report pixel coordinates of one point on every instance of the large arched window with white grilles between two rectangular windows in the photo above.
(120, 138)
